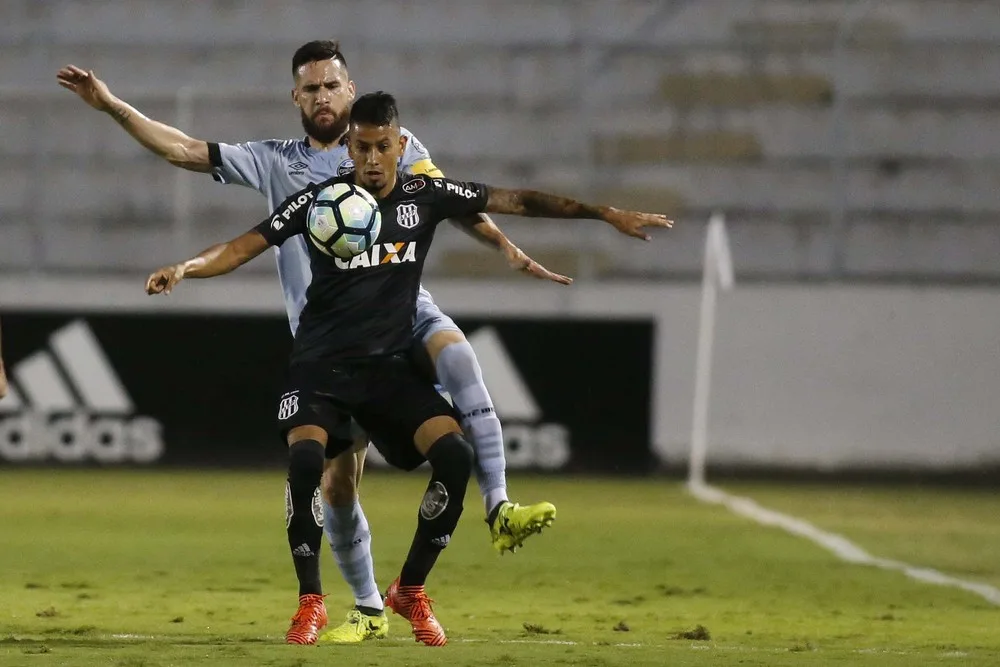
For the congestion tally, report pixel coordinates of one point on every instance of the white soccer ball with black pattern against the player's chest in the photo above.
(344, 220)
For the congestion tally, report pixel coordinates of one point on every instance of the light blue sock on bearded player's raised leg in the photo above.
(459, 373)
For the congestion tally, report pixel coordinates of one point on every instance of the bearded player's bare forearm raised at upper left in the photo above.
(168, 142)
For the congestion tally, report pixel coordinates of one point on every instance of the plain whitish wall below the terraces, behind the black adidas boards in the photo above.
(817, 378)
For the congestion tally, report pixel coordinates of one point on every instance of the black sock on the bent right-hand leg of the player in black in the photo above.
(451, 459)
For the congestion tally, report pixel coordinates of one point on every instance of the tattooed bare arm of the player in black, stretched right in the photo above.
(530, 203)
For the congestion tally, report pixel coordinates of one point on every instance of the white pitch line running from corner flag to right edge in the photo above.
(838, 545)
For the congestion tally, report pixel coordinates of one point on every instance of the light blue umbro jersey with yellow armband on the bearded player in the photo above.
(278, 168)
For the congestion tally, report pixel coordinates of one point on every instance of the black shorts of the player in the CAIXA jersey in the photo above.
(386, 396)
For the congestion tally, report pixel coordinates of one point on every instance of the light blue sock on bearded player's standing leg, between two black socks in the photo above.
(350, 540)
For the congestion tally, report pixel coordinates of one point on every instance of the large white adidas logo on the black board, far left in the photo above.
(67, 403)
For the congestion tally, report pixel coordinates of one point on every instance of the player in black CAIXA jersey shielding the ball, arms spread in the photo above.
(351, 358)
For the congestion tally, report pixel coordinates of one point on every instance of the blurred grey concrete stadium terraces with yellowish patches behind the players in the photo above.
(693, 106)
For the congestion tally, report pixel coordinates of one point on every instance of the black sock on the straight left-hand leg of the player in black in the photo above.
(304, 512)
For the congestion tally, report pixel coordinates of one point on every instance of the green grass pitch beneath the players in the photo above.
(142, 569)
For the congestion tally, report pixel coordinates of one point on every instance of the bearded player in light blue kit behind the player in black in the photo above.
(323, 93)
